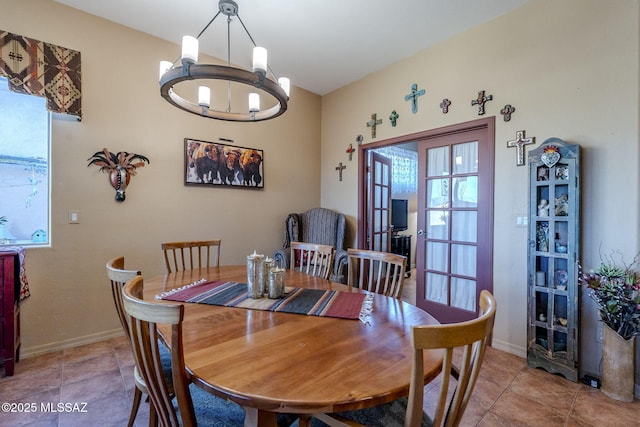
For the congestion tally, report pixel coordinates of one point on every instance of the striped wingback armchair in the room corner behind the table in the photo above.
(318, 225)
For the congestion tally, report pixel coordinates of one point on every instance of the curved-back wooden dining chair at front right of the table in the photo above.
(469, 340)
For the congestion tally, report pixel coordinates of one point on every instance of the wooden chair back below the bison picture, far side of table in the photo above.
(180, 256)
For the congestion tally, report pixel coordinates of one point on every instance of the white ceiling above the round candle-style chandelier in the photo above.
(321, 45)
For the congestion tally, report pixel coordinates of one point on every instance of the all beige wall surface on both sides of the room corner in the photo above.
(570, 67)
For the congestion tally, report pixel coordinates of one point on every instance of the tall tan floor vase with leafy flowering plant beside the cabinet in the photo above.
(615, 289)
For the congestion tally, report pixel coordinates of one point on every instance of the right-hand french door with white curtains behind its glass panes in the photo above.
(455, 215)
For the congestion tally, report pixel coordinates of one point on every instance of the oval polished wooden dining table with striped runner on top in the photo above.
(272, 362)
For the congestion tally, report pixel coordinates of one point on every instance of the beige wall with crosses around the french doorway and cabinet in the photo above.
(570, 68)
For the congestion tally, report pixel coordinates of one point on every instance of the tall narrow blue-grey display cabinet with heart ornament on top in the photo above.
(554, 244)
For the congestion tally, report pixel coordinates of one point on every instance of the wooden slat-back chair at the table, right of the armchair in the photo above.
(373, 271)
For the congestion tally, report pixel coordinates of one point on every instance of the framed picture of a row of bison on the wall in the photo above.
(217, 163)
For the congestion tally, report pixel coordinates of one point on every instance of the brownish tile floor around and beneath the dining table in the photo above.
(508, 393)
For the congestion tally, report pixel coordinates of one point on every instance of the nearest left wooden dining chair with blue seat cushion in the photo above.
(208, 409)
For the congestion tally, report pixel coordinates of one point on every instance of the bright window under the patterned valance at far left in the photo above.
(24, 169)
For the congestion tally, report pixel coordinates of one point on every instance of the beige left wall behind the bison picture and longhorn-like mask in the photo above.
(123, 111)
